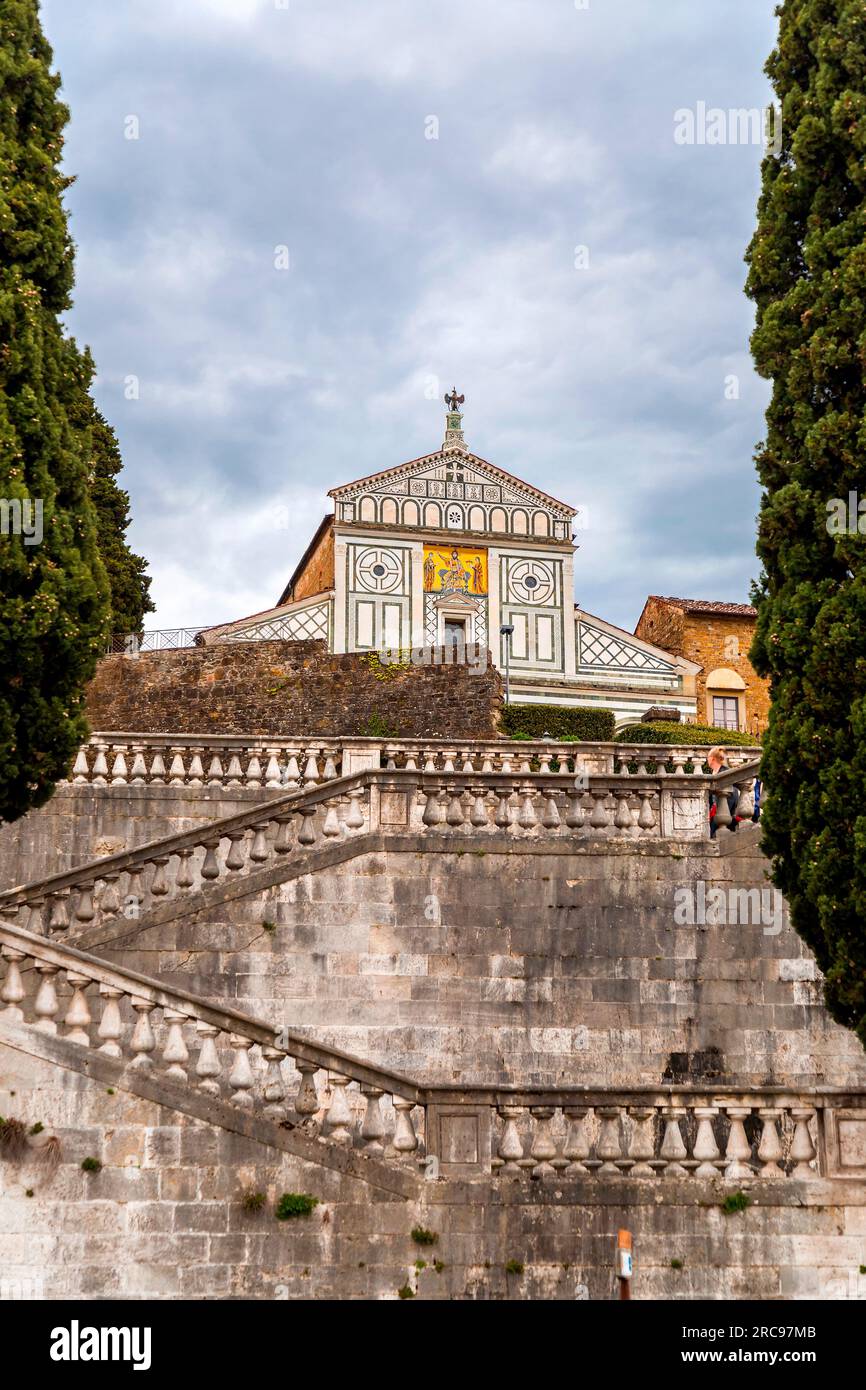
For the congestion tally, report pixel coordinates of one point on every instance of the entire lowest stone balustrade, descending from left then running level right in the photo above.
(728, 1135)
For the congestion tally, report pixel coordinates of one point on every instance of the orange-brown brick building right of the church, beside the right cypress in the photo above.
(718, 637)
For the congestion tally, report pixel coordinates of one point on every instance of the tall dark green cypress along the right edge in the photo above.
(808, 280)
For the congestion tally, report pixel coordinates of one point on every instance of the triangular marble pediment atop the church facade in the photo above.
(454, 475)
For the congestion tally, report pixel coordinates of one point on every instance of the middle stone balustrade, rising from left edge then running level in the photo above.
(394, 803)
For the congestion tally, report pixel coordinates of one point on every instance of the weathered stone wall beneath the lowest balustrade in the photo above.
(165, 1220)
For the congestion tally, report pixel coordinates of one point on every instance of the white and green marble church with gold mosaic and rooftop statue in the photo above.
(450, 554)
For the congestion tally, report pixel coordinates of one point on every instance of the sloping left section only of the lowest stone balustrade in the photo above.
(174, 1038)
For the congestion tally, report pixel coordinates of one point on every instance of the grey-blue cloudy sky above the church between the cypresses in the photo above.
(487, 195)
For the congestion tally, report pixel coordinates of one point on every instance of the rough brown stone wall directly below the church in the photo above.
(286, 687)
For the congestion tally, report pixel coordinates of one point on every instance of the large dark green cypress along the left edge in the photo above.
(54, 593)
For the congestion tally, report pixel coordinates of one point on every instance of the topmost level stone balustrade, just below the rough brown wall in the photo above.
(279, 764)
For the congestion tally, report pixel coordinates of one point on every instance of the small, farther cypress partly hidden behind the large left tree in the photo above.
(129, 580)
